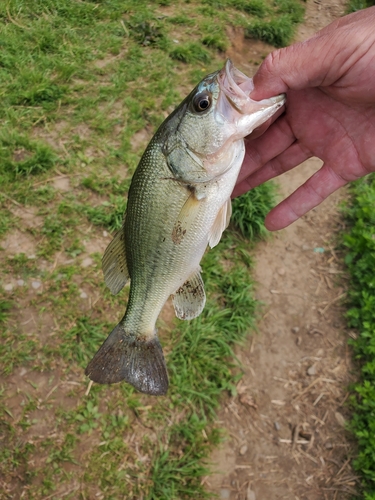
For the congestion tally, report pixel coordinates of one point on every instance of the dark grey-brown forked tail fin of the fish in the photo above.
(127, 357)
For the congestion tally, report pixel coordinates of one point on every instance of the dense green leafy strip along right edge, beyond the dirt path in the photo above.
(359, 244)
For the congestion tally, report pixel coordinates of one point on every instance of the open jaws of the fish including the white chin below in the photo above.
(235, 105)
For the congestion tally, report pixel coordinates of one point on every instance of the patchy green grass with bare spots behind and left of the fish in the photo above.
(83, 86)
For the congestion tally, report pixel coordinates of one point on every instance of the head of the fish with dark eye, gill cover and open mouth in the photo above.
(218, 113)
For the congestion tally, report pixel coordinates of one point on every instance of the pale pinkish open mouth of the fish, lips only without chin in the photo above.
(237, 87)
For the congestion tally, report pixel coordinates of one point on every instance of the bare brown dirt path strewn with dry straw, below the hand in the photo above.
(285, 429)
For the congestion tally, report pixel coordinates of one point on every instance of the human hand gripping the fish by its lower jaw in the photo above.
(330, 113)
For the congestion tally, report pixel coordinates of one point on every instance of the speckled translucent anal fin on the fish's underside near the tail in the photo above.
(189, 299)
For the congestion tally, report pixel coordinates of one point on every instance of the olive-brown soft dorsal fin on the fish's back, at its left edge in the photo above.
(114, 265)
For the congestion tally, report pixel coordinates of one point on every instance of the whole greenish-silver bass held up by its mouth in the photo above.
(179, 203)
